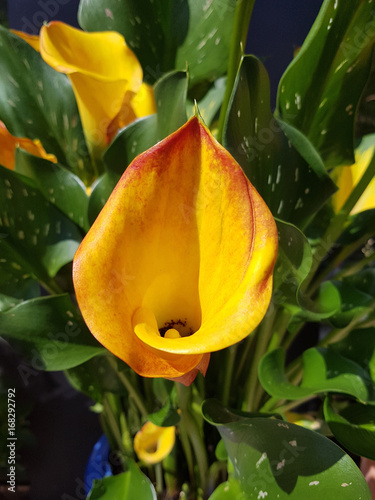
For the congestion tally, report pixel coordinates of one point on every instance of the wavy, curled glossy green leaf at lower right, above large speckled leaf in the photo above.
(324, 370)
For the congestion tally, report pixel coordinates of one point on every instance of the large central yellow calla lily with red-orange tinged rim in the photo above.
(179, 262)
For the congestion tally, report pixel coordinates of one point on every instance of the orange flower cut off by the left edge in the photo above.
(9, 143)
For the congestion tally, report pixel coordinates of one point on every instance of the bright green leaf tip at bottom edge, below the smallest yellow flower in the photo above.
(129, 485)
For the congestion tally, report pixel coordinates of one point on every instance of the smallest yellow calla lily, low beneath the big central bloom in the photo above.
(153, 443)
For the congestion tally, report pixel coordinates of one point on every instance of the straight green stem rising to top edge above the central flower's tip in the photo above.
(244, 9)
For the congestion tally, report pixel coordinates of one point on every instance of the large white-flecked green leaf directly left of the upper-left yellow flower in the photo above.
(37, 102)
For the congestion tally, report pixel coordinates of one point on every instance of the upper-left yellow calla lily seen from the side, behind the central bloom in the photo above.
(106, 78)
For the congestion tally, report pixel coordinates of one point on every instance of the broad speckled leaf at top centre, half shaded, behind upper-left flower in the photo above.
(168, 35)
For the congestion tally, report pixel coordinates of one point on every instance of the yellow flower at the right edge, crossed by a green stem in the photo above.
(346, 178)
